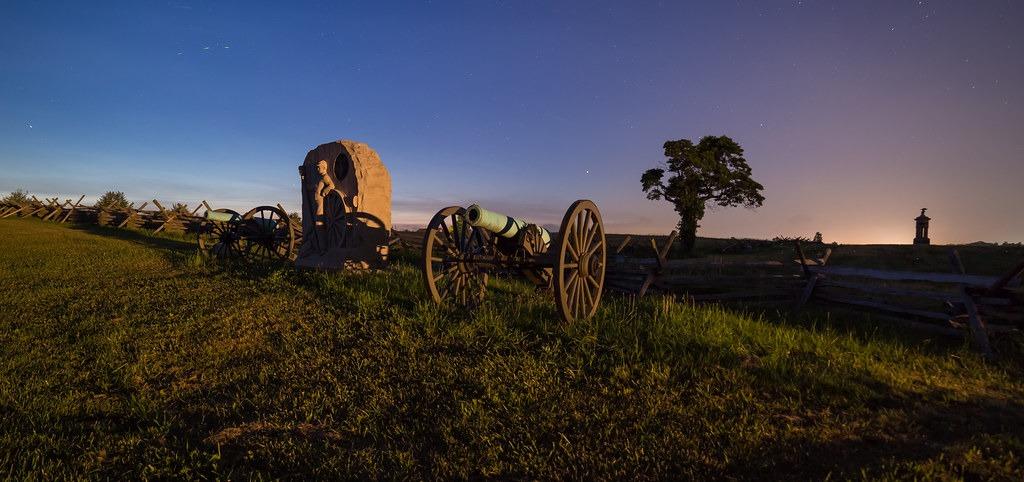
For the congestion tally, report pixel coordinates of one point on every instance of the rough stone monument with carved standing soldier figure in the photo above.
(347, 208)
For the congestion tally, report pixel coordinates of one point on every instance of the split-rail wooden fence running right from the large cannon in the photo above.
(948, 303)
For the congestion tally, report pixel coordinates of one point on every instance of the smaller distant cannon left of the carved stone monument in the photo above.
(263, 234)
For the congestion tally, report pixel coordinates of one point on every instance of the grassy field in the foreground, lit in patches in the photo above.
(126, 356)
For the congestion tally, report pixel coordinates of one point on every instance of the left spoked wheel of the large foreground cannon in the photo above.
(449, 247)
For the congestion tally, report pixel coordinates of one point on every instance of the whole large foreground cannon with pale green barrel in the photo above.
(463, 246)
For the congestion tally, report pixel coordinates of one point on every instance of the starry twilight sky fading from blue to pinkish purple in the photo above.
(855, 115)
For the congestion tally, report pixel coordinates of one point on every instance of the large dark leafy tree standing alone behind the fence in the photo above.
(711, 171)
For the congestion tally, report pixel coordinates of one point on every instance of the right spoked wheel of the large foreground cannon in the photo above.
(579, 268)
